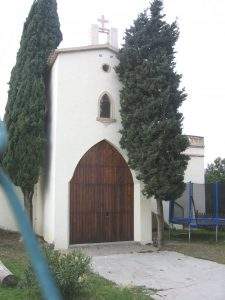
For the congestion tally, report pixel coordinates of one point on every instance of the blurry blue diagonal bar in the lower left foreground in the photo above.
(41, 269)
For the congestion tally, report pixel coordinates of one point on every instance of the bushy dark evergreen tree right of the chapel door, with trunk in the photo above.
(150, 101)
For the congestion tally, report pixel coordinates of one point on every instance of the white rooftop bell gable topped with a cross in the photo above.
(111, 34)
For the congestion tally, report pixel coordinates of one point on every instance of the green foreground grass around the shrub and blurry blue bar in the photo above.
(12, 254)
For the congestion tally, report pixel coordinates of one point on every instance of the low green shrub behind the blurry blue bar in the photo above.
(70, 271)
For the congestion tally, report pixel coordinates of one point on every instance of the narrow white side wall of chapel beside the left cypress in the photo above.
(47, 185)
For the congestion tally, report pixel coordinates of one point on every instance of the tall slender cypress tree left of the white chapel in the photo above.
(25, 110)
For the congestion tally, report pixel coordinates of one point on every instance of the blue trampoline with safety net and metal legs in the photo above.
(201, 205)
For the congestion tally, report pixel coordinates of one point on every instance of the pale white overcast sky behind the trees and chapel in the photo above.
(200, 52)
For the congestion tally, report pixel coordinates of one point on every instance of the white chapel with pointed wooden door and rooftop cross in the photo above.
(87, 193)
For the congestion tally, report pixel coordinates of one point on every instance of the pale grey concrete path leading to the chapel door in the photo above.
(173, 275)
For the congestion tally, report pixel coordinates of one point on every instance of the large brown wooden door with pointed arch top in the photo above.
(101, 197)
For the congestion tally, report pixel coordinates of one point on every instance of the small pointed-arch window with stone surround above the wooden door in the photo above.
(106, 111)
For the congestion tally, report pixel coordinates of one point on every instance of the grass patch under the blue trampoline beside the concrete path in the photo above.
(202, 245)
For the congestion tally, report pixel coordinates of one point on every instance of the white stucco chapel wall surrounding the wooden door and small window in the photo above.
(77, 83)
